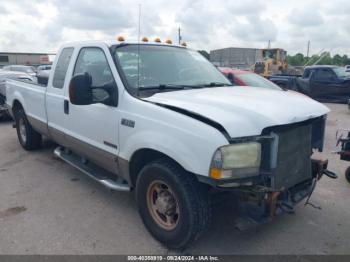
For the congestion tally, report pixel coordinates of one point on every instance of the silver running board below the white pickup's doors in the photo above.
(92, 170)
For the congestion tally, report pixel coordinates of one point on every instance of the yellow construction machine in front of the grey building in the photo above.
(274, 61)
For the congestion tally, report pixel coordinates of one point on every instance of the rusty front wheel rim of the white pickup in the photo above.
(163, 205)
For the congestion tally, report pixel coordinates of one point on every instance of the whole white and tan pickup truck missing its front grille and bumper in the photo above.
(163, 121)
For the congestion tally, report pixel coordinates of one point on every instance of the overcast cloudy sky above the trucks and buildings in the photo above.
(42, 25)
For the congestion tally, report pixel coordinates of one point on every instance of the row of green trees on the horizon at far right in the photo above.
(324, 58)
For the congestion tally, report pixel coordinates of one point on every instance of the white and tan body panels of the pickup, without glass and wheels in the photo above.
(187, 126)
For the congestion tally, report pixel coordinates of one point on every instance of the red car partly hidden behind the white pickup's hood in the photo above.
(247, 78)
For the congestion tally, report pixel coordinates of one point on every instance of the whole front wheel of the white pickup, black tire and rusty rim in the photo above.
(192, 213)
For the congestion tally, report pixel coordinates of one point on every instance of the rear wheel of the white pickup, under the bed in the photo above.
(27, 136)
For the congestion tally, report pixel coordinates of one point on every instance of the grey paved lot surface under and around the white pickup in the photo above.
(48, 207)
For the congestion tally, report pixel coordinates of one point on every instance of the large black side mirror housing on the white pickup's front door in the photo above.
(80, 92)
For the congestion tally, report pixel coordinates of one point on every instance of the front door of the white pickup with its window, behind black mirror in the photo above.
(92, 130)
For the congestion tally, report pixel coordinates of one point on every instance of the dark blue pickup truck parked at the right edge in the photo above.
(324, 83)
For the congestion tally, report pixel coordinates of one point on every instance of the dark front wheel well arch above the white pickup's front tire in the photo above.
(141, 158)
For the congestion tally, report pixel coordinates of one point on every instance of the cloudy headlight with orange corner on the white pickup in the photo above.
(236, 161)
